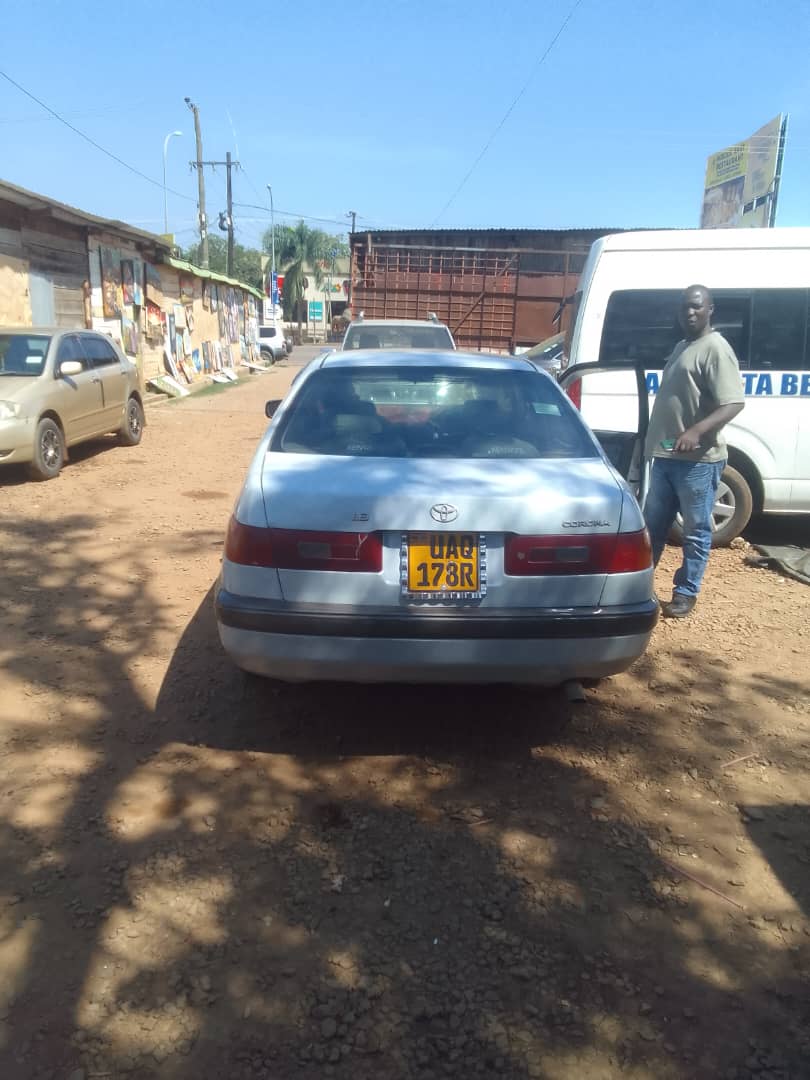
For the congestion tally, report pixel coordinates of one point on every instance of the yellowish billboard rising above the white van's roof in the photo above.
(742, 181)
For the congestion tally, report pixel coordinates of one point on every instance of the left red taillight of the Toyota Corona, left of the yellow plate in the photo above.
(303, 550)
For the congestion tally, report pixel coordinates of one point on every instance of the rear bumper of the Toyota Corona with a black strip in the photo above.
(302, 644)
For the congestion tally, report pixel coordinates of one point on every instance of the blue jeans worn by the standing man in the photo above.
(692, 489)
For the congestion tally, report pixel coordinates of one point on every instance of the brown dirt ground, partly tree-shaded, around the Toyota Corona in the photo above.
(202, 877)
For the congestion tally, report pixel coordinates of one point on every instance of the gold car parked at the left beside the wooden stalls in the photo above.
(59, 388)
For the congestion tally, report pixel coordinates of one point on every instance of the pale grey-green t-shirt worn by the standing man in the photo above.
(698, 379)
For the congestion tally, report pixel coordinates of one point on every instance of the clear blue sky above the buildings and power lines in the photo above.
(383, 107)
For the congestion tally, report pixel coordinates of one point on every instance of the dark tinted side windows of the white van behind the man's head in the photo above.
(766, 328)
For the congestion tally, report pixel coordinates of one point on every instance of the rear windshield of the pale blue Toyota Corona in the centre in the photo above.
(433, 413)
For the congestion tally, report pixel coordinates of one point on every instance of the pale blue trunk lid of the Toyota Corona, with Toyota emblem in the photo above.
(397, 498)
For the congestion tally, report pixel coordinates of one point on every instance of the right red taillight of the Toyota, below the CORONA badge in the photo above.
(584, 553)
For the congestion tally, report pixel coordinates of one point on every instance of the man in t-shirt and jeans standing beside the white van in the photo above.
(700, 393)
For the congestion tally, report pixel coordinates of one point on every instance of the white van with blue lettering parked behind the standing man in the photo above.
(626, 316)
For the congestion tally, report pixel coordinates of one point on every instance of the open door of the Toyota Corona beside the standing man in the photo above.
(614, 403)
